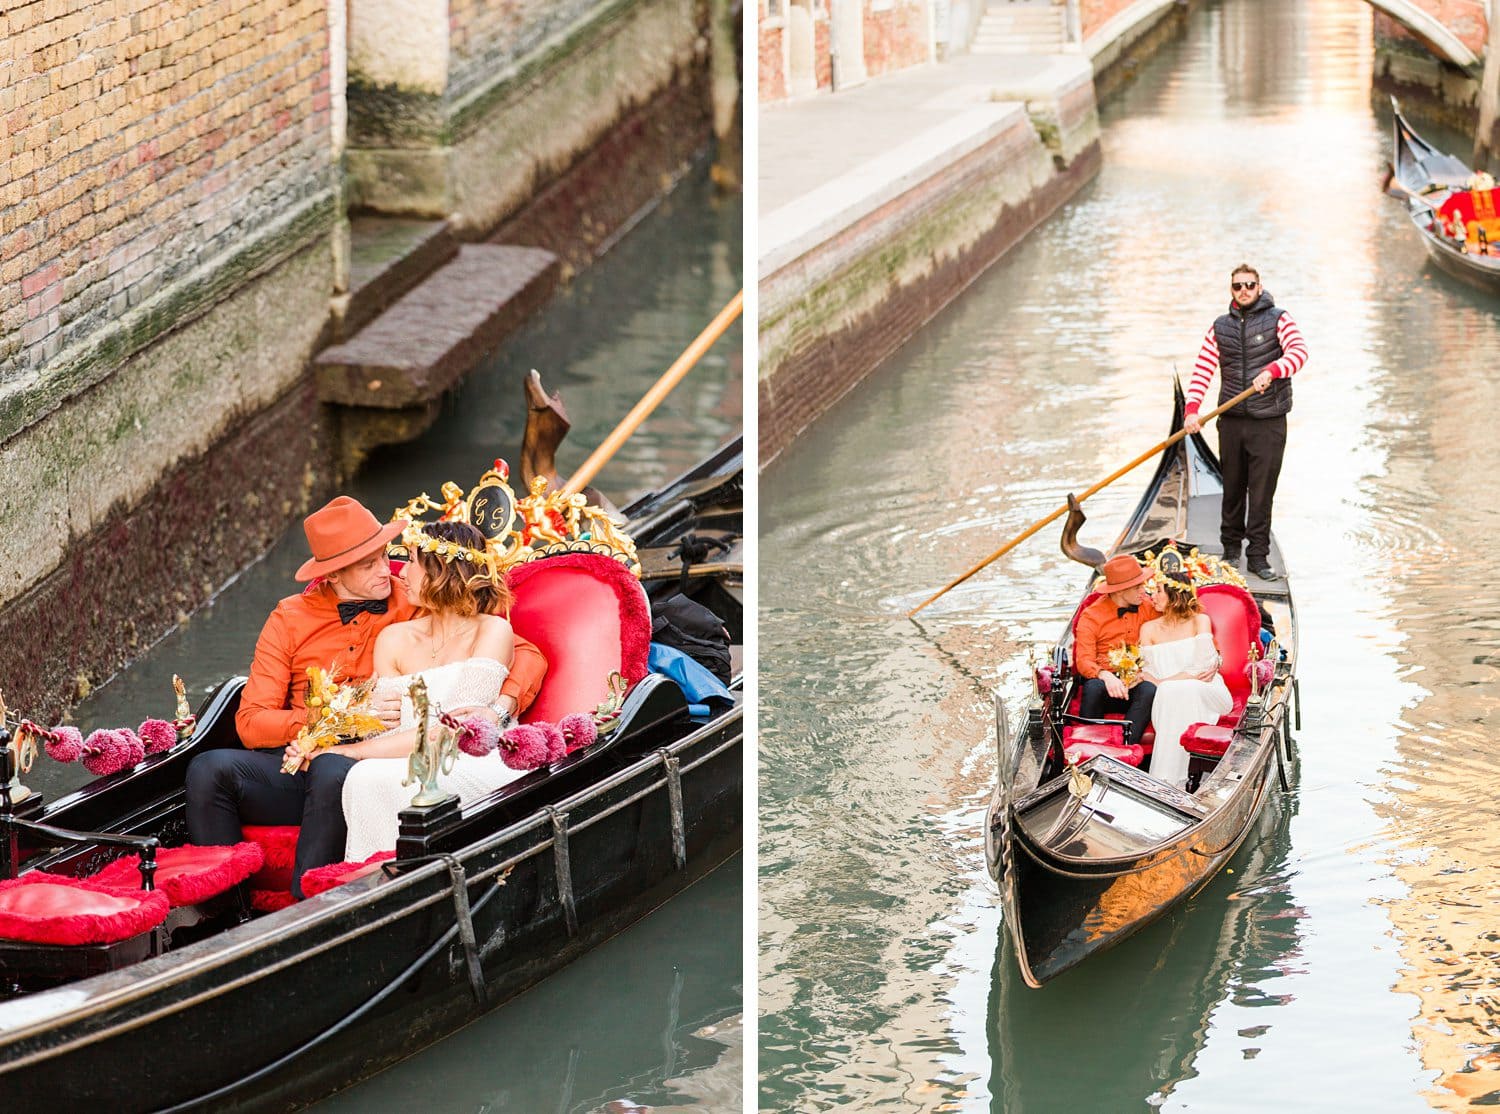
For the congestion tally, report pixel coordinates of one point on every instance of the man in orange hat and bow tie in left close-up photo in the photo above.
(332, 624)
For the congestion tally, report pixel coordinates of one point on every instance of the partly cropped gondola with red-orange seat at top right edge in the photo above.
(1435, 187)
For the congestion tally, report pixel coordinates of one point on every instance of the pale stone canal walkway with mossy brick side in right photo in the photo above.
(881, 203)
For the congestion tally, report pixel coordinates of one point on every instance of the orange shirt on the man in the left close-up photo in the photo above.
(305, 630)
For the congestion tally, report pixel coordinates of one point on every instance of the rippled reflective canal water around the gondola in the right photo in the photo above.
(1348, 957)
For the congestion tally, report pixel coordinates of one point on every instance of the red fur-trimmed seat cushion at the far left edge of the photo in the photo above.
(56, 909)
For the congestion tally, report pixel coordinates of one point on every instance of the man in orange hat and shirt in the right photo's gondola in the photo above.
(1114, 620)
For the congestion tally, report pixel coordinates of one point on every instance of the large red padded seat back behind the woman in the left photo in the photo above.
(589, 615)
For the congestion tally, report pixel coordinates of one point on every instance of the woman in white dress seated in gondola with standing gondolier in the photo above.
(1180, 657)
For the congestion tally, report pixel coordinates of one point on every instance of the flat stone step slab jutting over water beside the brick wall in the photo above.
(439, 332)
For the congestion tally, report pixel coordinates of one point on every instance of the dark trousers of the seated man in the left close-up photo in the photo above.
(233, 788)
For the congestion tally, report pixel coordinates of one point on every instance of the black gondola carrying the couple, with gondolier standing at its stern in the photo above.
(1085, 846)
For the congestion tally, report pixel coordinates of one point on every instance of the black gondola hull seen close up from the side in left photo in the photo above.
(479, 905)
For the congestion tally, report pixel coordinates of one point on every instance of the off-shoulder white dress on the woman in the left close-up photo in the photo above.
(373, 792)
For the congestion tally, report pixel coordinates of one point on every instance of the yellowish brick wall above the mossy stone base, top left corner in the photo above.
(143, 140)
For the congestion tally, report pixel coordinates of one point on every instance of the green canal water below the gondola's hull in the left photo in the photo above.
(650, 1019)
